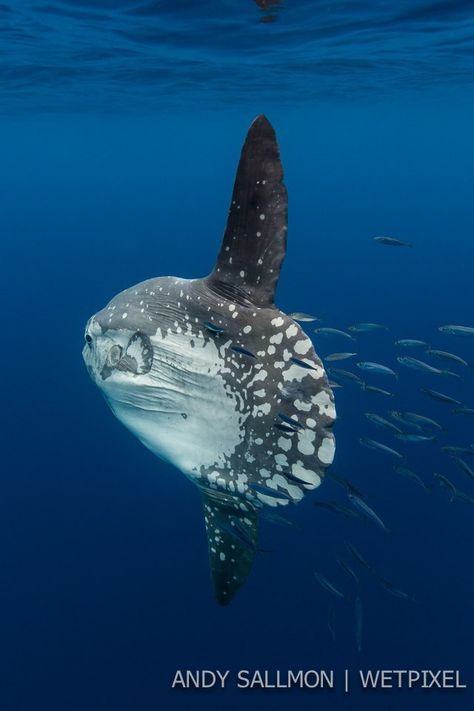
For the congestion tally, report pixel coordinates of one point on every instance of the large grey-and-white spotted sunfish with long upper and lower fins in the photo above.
(212, 377)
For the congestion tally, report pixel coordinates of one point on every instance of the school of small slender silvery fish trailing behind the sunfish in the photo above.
(400, 432)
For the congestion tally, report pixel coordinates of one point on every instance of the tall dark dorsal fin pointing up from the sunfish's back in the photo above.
(254, 243)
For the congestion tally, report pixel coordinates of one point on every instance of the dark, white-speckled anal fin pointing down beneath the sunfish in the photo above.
(232, 544)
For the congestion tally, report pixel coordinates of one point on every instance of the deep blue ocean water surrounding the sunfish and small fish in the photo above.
(121, 127)
